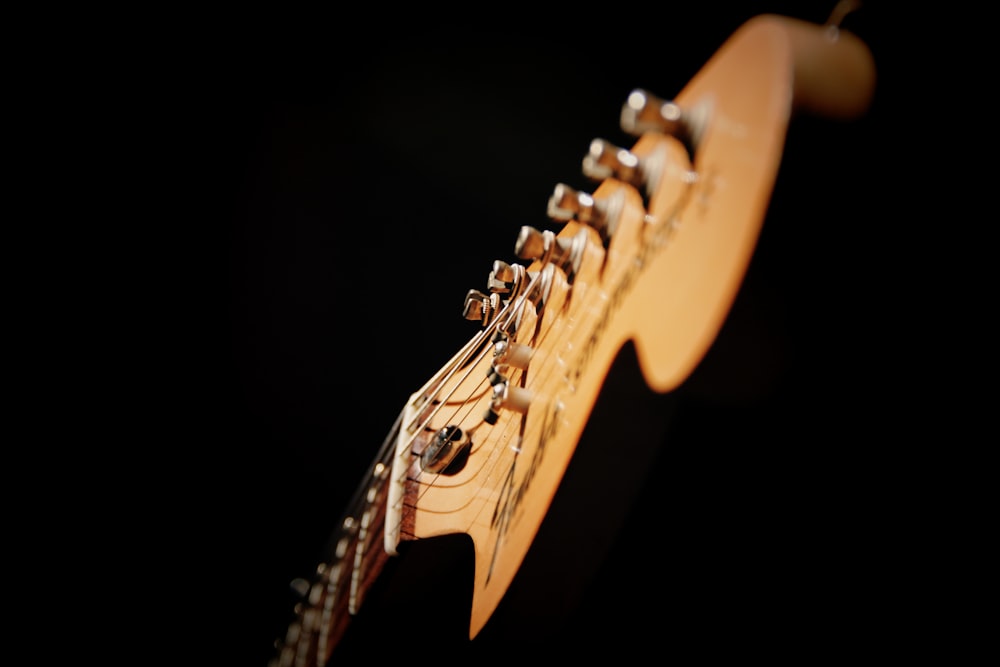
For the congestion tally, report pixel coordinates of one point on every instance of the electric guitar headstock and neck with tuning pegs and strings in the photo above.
(481, 449)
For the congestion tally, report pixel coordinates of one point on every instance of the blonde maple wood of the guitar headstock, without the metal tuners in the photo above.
(666, 281)
